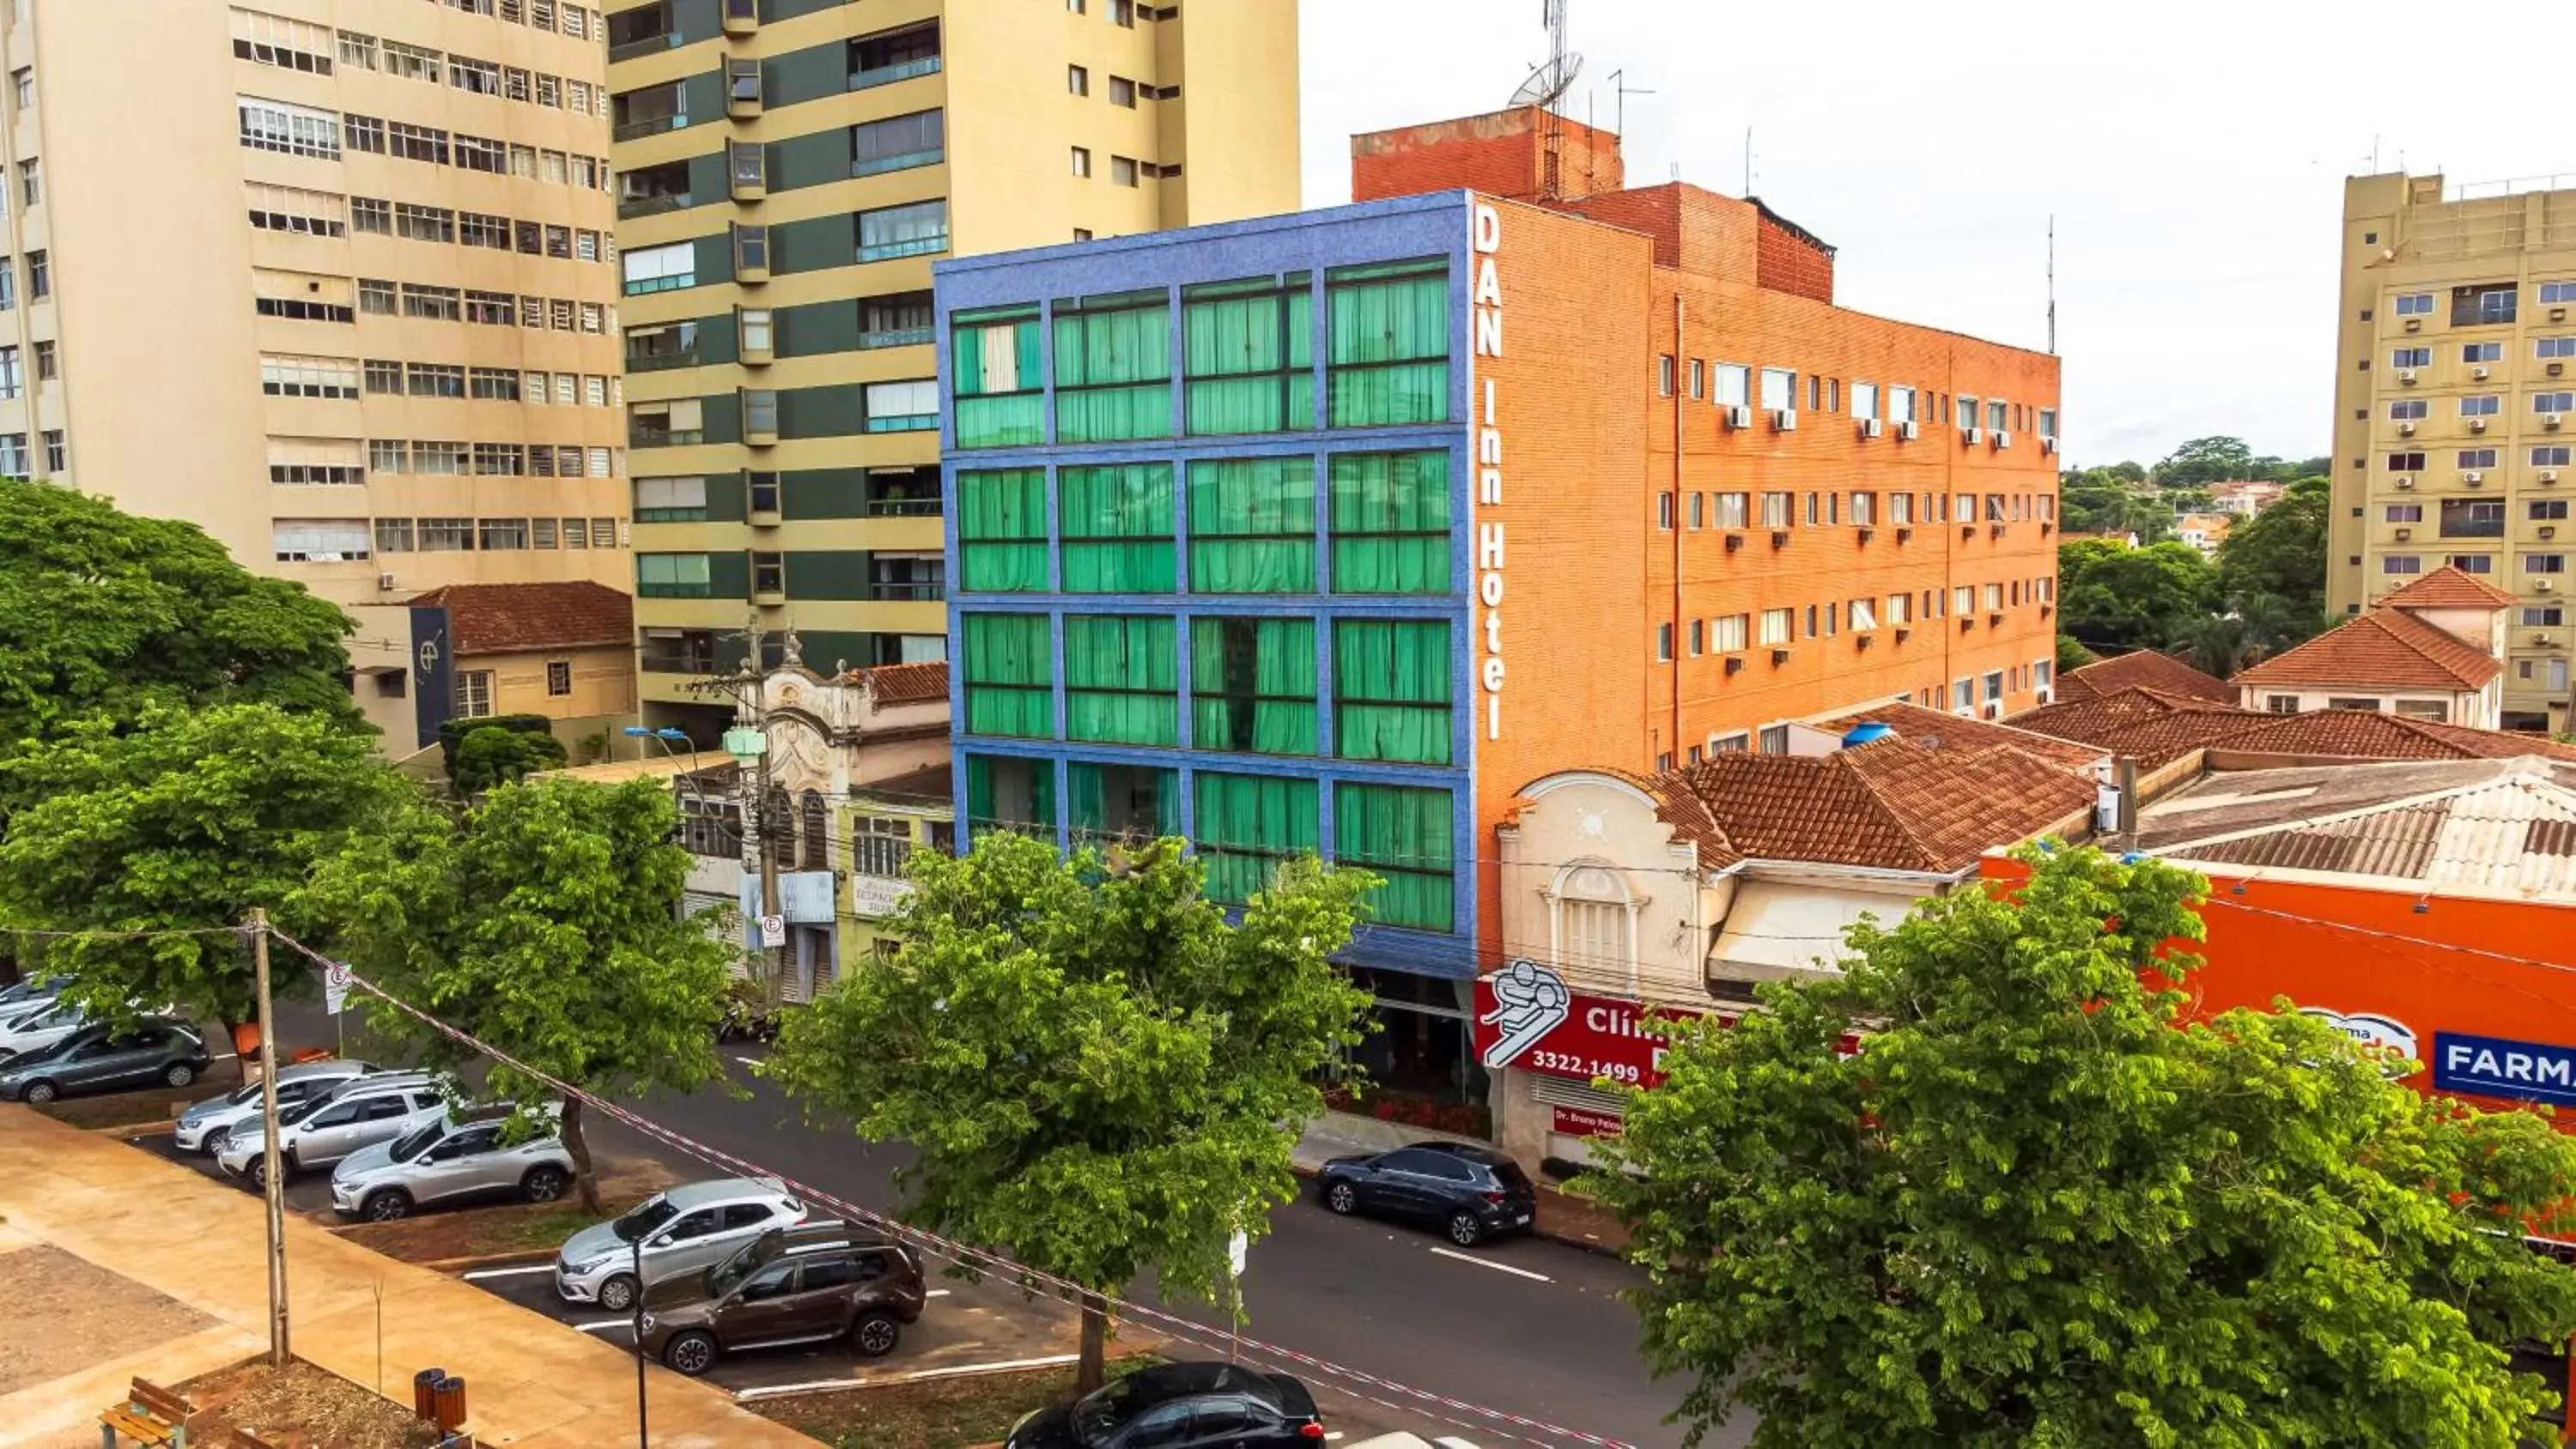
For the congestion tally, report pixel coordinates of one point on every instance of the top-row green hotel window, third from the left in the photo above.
(1248, 356)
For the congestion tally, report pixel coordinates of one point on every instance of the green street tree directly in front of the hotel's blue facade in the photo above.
(1096, 1069)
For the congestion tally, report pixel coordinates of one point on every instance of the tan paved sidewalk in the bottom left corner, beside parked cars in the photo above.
(532, 1383)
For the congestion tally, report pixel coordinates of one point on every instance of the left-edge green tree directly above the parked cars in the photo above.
(189, 820)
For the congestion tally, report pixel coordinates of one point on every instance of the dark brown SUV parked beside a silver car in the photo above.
(787, 1288)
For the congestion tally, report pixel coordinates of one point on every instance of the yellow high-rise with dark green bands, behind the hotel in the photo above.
(787, 176)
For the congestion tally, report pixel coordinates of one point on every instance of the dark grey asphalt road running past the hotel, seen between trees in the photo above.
(1519, 1327)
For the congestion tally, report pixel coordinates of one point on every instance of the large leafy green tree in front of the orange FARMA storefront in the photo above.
(2041, 1208)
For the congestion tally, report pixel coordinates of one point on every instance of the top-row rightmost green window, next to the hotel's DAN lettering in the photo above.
(1390, 344)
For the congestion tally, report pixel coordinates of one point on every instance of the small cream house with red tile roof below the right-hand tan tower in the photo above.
(2433, 652)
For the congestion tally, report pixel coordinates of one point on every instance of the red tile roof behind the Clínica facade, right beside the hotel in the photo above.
(1887, 804)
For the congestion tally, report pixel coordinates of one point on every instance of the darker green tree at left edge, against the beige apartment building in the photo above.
(107, 614)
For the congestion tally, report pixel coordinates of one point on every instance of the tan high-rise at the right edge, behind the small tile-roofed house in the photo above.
(2456, 411)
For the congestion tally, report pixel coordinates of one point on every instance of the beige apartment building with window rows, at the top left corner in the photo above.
(334, 279)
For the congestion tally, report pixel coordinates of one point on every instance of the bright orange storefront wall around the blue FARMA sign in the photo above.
(2459, 966)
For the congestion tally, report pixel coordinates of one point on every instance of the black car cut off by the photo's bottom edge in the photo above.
(1181, 1407)
